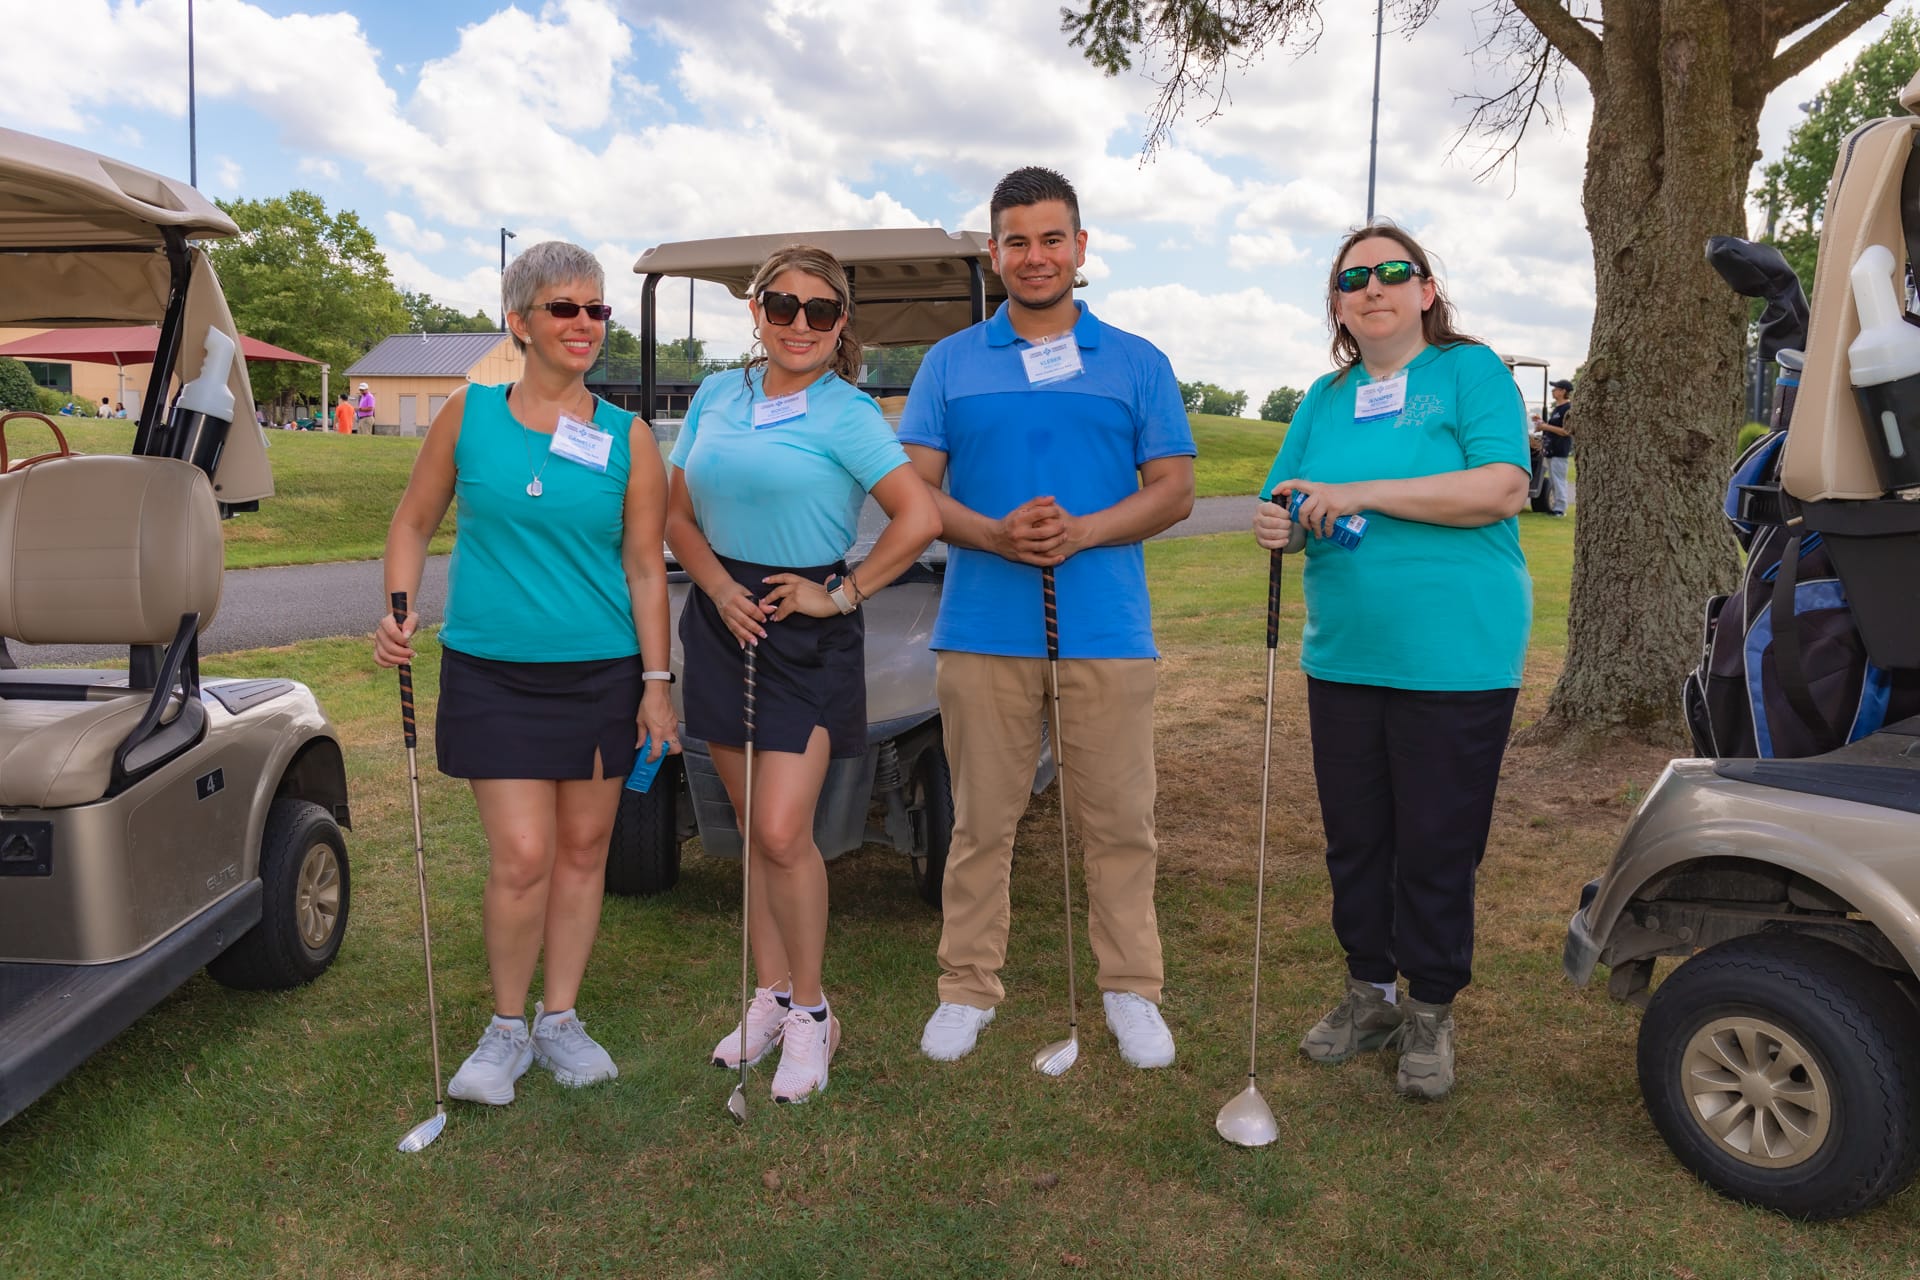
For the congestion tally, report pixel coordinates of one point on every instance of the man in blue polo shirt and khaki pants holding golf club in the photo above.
(1063, 444)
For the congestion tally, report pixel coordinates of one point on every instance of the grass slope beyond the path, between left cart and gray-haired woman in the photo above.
(333, 494)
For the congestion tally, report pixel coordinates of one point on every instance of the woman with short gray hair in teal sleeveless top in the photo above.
(556, 625)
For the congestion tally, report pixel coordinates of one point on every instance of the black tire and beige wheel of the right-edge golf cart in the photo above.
(1787, 1074)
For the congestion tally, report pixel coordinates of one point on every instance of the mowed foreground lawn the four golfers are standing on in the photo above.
(252, 1135)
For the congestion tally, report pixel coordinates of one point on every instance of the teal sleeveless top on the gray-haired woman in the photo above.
(537, 579)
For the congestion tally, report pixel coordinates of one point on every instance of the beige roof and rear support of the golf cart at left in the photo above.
(87, 241)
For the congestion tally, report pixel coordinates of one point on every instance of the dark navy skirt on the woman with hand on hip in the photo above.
(807, 673)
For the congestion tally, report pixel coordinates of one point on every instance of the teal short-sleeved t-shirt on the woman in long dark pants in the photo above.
(1416, 605)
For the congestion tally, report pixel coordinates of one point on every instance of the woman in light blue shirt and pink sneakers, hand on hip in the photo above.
(765, 488)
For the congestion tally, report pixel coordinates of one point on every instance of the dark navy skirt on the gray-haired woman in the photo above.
(537, 719)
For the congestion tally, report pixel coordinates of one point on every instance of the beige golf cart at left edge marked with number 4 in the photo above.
(151, 822)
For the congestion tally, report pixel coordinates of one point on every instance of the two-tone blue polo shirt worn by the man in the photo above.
(1082, 440)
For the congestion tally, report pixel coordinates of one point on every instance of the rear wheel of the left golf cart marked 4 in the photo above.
(304, 903)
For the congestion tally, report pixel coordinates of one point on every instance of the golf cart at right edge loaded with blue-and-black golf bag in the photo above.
(1781, 1060)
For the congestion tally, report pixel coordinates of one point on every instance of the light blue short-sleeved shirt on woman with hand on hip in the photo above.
(782, 492)
